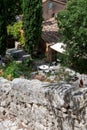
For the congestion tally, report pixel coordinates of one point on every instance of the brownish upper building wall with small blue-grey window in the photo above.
(50, 8)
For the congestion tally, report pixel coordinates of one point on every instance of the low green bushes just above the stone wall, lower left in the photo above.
(15, 70)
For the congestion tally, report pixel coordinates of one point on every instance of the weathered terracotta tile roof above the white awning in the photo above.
(50, 31)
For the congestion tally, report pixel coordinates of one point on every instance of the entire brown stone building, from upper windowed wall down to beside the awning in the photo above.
(50, 34)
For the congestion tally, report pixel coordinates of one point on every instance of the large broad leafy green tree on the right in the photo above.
(72, 23)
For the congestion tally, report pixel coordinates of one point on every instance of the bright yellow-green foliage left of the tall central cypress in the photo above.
(14, 30)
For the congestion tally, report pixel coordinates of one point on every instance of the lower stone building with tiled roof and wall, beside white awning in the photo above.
(49, 37)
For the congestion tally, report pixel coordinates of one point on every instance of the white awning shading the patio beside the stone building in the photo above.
(59, 47)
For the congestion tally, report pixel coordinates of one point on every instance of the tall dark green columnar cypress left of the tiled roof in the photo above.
(32, 23)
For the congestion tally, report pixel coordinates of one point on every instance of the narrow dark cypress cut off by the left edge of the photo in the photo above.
(3, 31)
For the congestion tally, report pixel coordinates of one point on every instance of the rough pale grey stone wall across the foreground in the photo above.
(35, 105)
